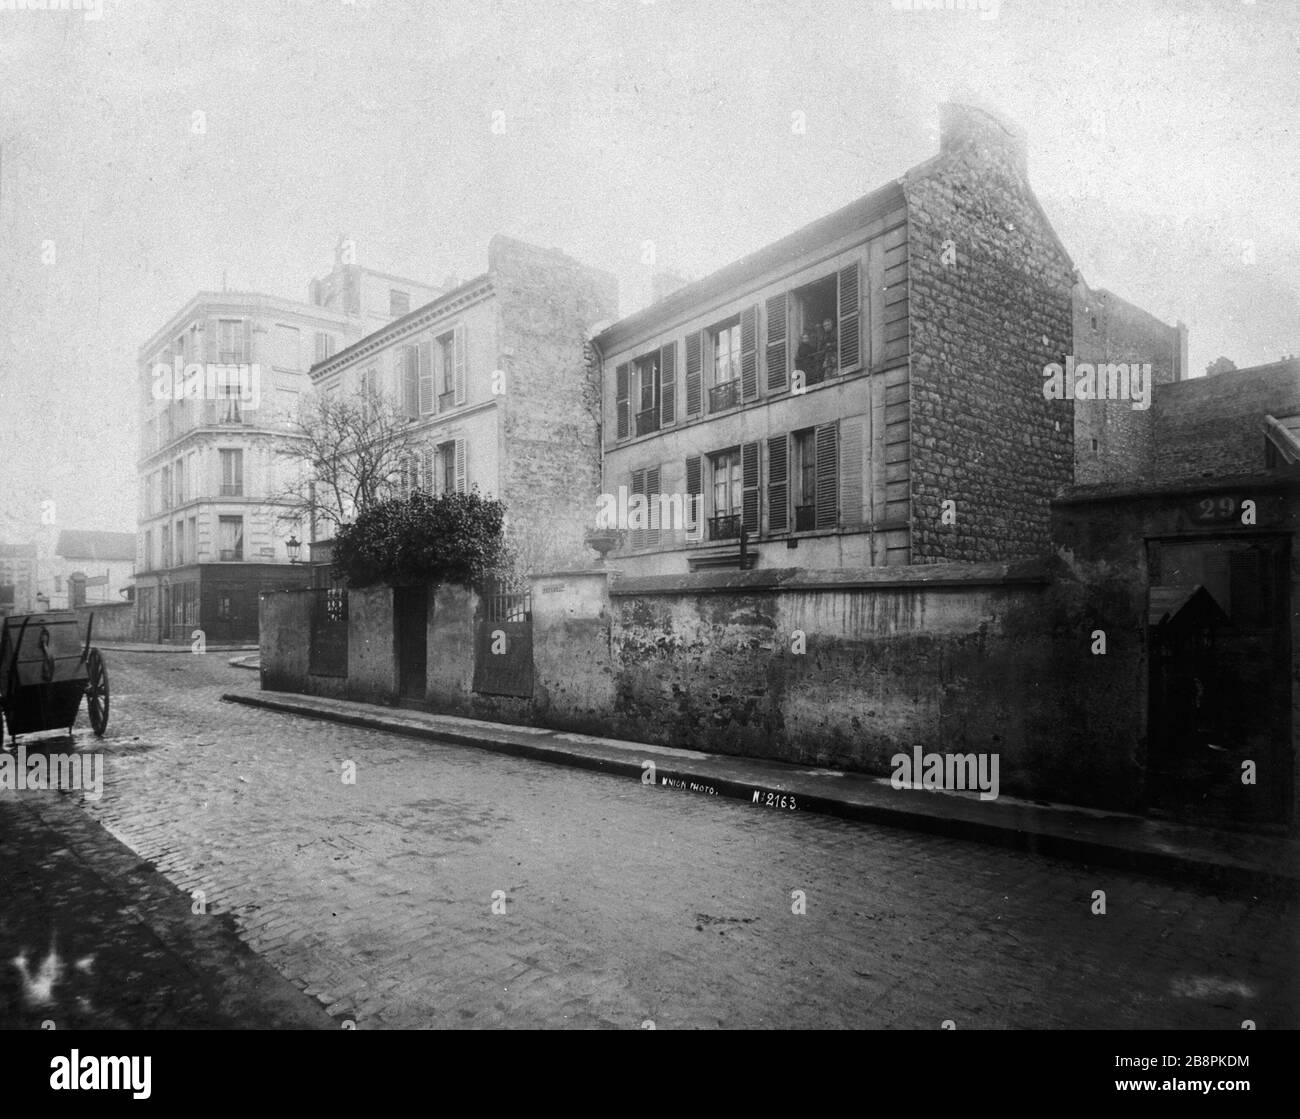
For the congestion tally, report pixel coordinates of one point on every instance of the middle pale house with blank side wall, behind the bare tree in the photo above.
(499, 383)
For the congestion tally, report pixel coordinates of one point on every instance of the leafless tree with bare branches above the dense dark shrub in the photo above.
(344, 454)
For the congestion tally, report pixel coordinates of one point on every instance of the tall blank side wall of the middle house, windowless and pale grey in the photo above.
(551, 454)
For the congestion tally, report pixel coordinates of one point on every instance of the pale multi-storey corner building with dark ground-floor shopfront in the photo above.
(213, 534)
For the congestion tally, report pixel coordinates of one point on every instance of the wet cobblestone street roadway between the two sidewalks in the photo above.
(625, 904)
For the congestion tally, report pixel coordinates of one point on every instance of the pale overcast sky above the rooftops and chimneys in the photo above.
(1163, 145)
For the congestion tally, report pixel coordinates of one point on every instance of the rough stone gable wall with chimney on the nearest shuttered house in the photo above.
(982, 331)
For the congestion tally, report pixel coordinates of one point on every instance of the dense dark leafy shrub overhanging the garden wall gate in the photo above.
(454, 539)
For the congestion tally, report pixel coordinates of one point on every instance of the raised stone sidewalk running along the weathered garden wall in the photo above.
(1232, 861)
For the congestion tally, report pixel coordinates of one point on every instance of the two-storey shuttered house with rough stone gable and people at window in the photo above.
(870, 391)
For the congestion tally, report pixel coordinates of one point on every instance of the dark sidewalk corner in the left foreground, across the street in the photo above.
(93, 938)
